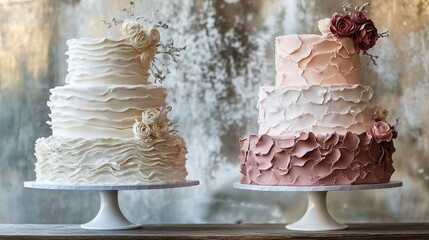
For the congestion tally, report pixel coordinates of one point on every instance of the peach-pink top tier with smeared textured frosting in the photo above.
(311, 59)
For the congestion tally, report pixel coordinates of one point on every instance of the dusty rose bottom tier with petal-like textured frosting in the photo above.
(332, 159)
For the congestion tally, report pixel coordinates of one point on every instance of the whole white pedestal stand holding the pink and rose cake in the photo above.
(317, 217)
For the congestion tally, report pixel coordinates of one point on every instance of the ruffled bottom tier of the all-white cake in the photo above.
(110, 161)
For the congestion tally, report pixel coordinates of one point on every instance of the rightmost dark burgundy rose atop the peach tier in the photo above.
(366, 35)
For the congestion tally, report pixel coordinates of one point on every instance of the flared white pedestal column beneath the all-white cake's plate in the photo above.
(109, 216)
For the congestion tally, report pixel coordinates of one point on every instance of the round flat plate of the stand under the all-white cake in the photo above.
(96, 187)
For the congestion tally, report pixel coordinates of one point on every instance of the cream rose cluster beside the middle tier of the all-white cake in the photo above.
(154, 124)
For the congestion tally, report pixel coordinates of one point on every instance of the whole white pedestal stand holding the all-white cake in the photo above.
(109, 216)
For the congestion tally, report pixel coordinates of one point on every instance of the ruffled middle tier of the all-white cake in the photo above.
(101, 111)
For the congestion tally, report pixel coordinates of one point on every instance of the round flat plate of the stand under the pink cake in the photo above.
(391, 184)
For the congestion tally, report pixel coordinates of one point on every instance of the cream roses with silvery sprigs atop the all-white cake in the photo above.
(144, 37)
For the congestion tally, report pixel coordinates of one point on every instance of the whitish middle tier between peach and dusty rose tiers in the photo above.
(286, 110)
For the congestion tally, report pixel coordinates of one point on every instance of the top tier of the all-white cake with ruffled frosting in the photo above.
(106, 61)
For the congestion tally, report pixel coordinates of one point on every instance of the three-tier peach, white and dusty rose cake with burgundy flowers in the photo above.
(318, 125)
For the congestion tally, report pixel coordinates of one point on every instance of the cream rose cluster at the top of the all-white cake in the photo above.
(144, 39)
